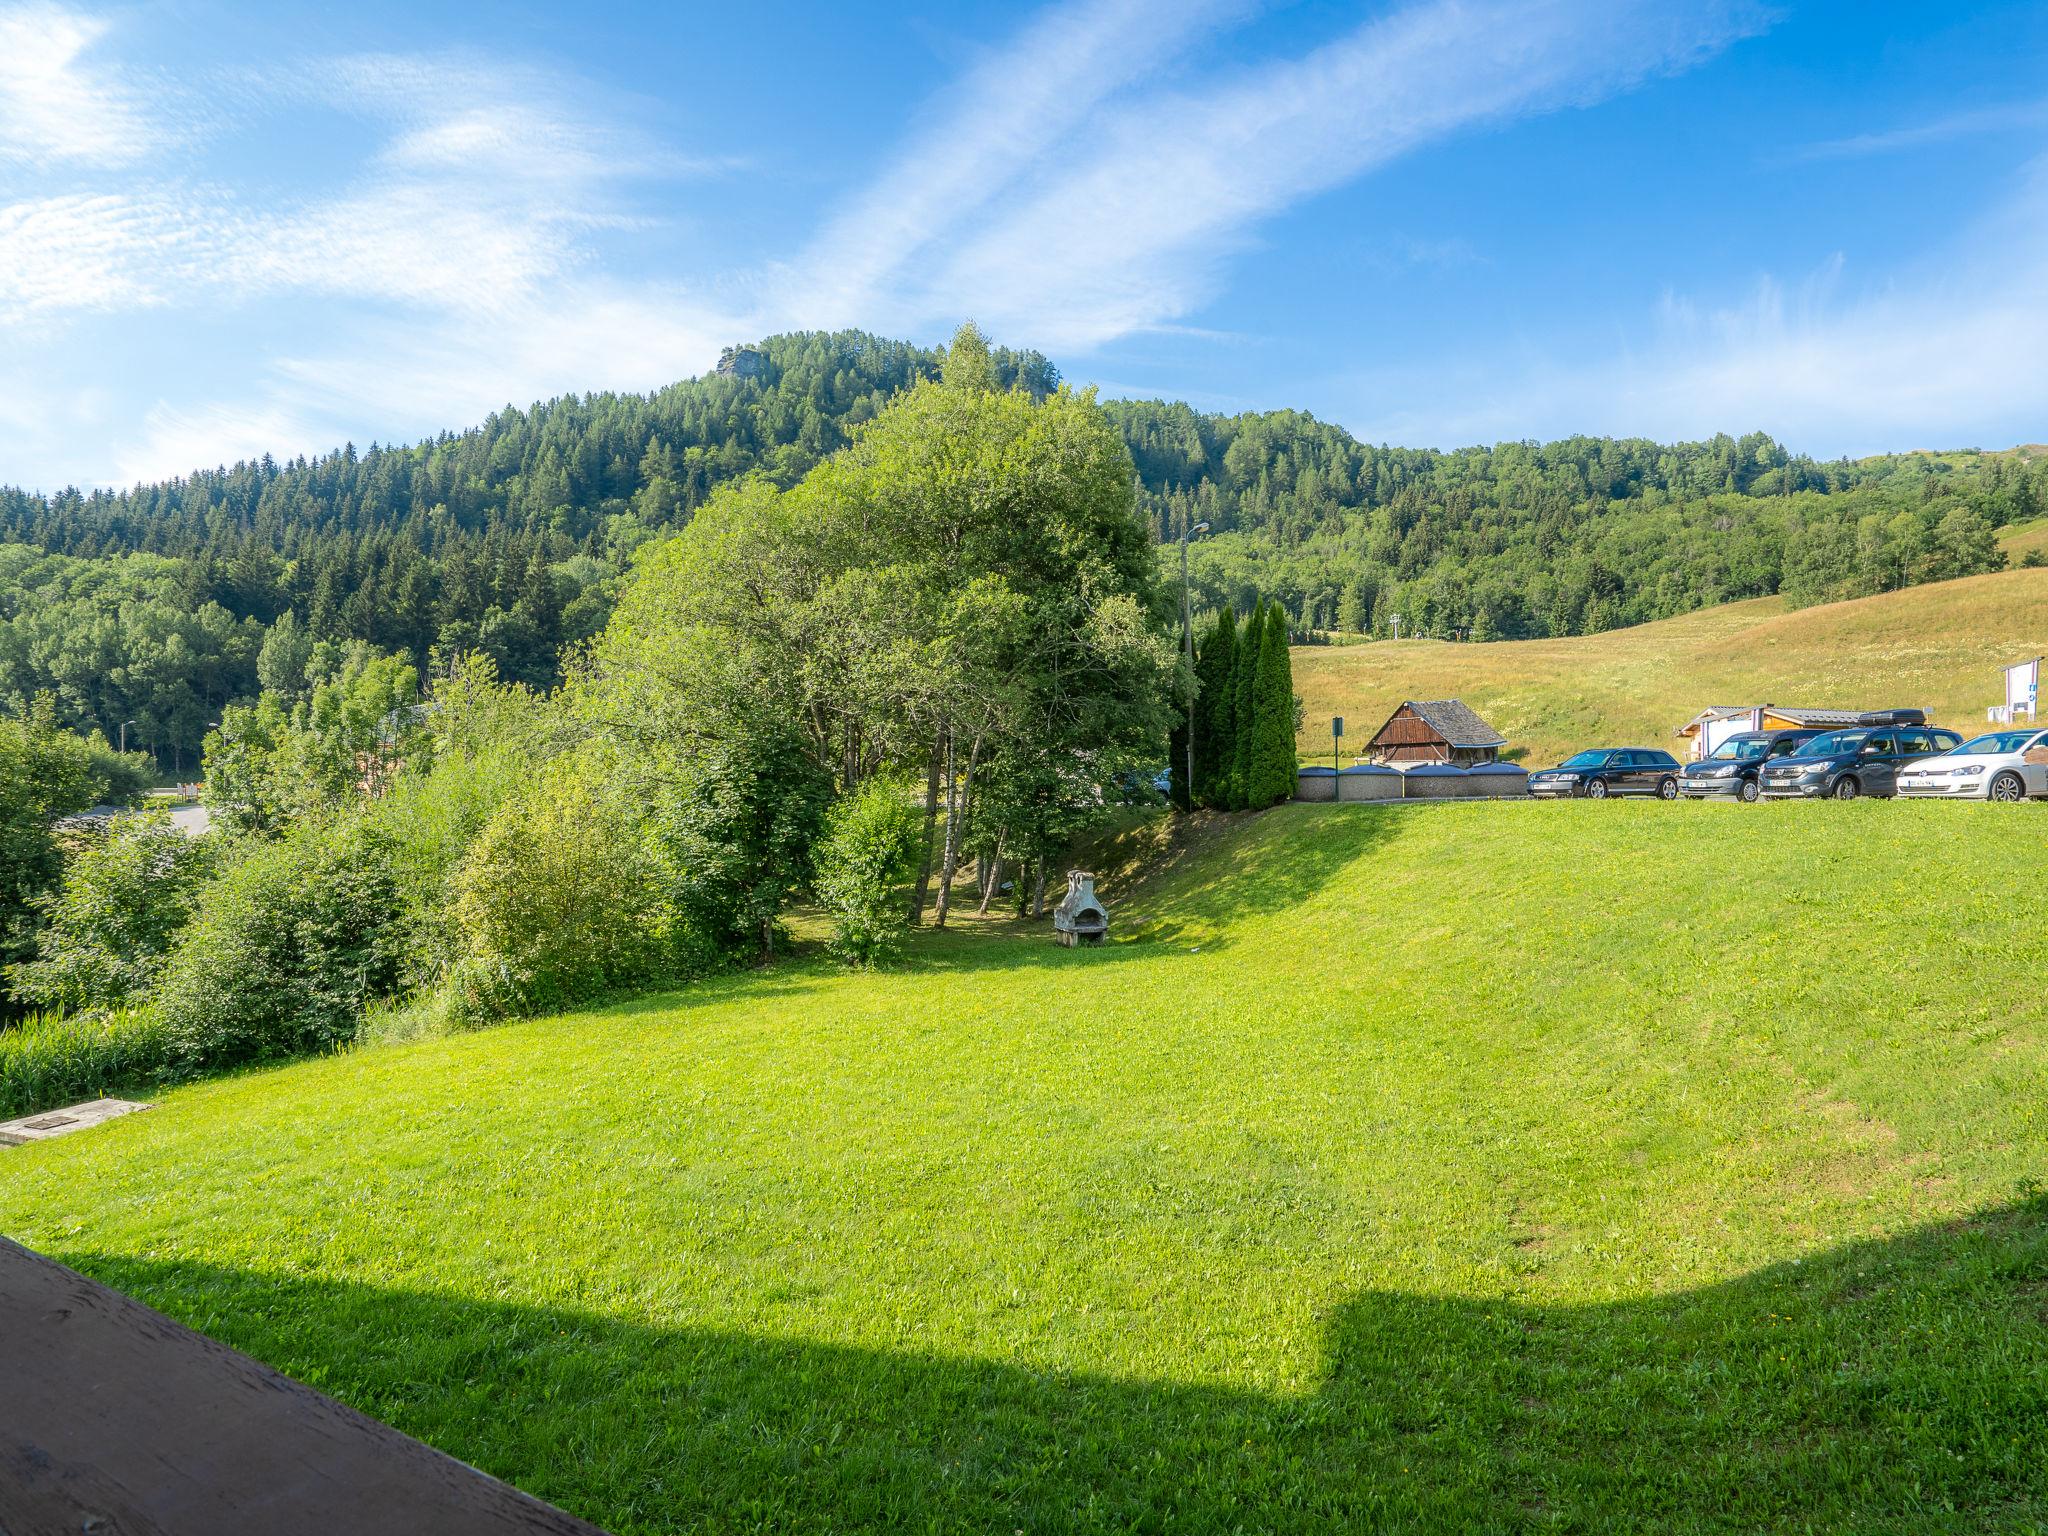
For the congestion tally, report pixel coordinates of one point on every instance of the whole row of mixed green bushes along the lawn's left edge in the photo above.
(519, 871)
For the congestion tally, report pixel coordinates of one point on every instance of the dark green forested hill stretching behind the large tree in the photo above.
(157, 605)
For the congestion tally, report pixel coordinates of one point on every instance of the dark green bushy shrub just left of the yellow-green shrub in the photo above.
(288, 947)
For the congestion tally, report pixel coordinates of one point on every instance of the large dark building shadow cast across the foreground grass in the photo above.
(1887, 1385)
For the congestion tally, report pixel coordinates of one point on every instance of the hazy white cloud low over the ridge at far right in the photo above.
(1930, 359)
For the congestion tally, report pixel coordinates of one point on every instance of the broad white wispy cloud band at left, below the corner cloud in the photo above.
(482, 189)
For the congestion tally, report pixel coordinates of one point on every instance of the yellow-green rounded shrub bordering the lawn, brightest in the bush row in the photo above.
(562, 900)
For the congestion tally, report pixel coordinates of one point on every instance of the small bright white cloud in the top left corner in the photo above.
(56, 105)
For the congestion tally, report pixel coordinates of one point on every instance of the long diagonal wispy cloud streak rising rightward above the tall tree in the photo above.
(1125, 220)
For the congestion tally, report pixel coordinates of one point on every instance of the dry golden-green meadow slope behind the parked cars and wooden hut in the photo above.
(1934, 646)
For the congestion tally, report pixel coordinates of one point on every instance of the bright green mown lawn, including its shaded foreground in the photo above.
(1441, 1168)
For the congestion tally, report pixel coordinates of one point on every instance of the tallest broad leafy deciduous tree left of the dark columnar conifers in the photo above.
(968, 585)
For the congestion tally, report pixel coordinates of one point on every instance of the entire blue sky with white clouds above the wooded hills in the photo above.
(234, 228)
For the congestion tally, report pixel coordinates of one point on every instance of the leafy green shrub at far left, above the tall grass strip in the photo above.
(126, 896)
